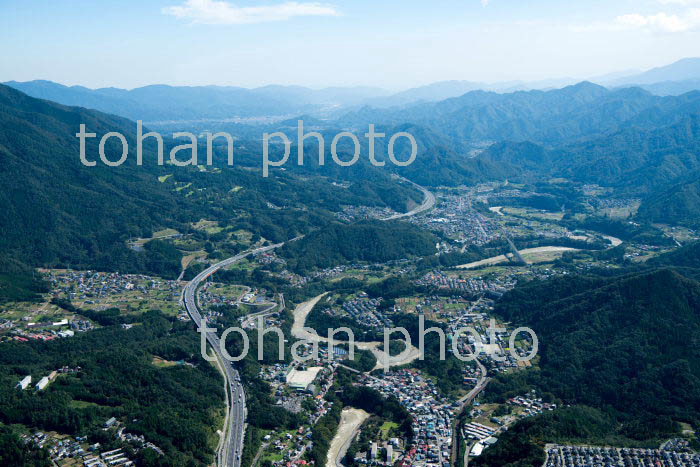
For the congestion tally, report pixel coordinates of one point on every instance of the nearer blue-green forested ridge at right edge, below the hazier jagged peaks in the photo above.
(662, 166)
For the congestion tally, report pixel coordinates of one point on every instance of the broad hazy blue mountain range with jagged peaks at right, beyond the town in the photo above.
(629, 139)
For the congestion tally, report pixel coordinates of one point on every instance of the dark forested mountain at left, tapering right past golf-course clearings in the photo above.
(61, 213)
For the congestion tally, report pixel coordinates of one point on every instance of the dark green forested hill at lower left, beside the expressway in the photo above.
(177, 407)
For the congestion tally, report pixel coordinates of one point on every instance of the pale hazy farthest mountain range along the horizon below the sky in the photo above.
(165, 103)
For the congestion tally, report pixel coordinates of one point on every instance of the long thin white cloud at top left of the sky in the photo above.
(221, 12)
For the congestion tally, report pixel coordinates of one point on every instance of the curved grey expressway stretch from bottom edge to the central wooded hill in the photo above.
(231, 449)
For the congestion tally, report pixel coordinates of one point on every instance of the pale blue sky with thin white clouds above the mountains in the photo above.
(393, 44)
